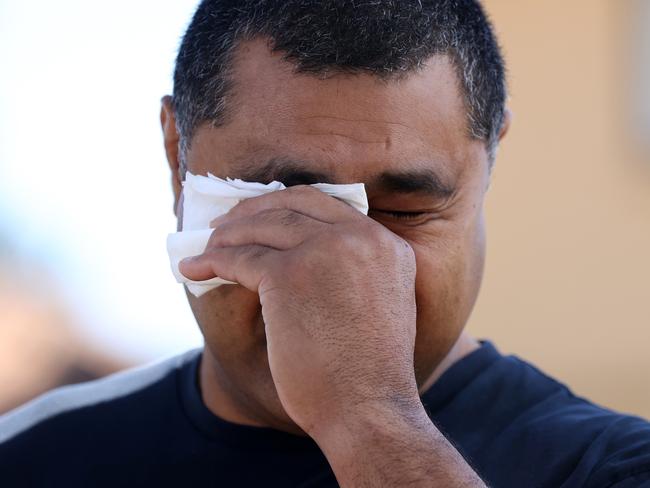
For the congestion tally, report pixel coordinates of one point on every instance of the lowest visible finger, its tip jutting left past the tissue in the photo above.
(246, 265)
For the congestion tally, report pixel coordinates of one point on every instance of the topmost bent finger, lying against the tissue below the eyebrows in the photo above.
(303, 199)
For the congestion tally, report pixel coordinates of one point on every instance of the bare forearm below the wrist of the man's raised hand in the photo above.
(387, 448)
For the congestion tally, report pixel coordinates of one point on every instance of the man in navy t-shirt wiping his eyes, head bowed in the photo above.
(339, 356)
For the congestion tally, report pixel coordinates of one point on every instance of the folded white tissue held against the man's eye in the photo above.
(207, 197)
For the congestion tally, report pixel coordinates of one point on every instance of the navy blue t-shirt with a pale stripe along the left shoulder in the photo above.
(149, 427)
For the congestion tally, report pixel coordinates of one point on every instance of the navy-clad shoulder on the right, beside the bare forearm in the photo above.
(508, 416)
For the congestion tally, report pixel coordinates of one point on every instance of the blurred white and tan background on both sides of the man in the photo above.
(86, 203)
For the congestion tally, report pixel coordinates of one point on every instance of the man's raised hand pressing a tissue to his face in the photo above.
(338, 301)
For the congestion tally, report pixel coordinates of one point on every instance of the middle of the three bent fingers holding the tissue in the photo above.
(276, 228)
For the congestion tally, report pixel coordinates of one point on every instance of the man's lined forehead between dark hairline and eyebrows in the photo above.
(344, 125)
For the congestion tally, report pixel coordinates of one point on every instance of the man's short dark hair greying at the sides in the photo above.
(386, 38)
